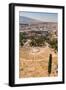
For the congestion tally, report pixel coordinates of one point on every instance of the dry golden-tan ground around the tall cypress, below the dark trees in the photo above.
(36, 64)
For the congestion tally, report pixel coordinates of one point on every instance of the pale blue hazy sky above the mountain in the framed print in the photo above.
(42, 16)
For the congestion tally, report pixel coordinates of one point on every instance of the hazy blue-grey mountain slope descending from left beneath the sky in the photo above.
(26, 20)
